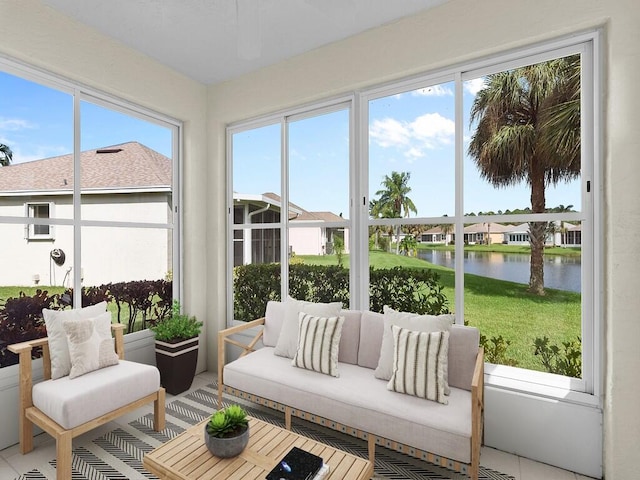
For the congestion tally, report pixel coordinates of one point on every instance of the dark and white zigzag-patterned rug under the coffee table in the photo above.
(118, 454)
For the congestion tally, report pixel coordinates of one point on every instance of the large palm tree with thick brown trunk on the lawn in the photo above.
(529, 131)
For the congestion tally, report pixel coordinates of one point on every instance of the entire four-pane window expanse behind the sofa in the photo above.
(479, 183)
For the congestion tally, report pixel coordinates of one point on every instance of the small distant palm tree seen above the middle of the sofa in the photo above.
(393, 200)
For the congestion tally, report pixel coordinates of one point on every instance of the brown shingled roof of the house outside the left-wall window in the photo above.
(126, 166)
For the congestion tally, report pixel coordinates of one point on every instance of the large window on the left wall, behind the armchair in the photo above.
(86, 203)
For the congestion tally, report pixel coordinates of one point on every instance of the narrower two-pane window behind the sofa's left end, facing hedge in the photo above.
(297, 165)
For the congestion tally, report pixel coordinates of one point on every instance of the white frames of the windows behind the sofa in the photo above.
(588, 390)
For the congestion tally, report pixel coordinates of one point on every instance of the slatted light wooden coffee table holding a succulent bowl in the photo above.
(187, 457)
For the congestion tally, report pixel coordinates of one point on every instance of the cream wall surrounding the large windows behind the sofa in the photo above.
(462, 30)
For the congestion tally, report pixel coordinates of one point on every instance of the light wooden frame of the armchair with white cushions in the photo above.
(30, 415)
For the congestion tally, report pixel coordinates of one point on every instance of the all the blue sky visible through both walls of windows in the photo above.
(409, 132)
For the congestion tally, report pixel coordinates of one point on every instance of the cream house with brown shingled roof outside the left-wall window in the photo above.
(122, 183)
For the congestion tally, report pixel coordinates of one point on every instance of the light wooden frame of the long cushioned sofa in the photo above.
(477, 406)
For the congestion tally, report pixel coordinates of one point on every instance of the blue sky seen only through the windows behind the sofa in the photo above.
(410, 132)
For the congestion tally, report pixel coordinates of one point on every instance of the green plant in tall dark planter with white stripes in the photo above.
(177, 349)
